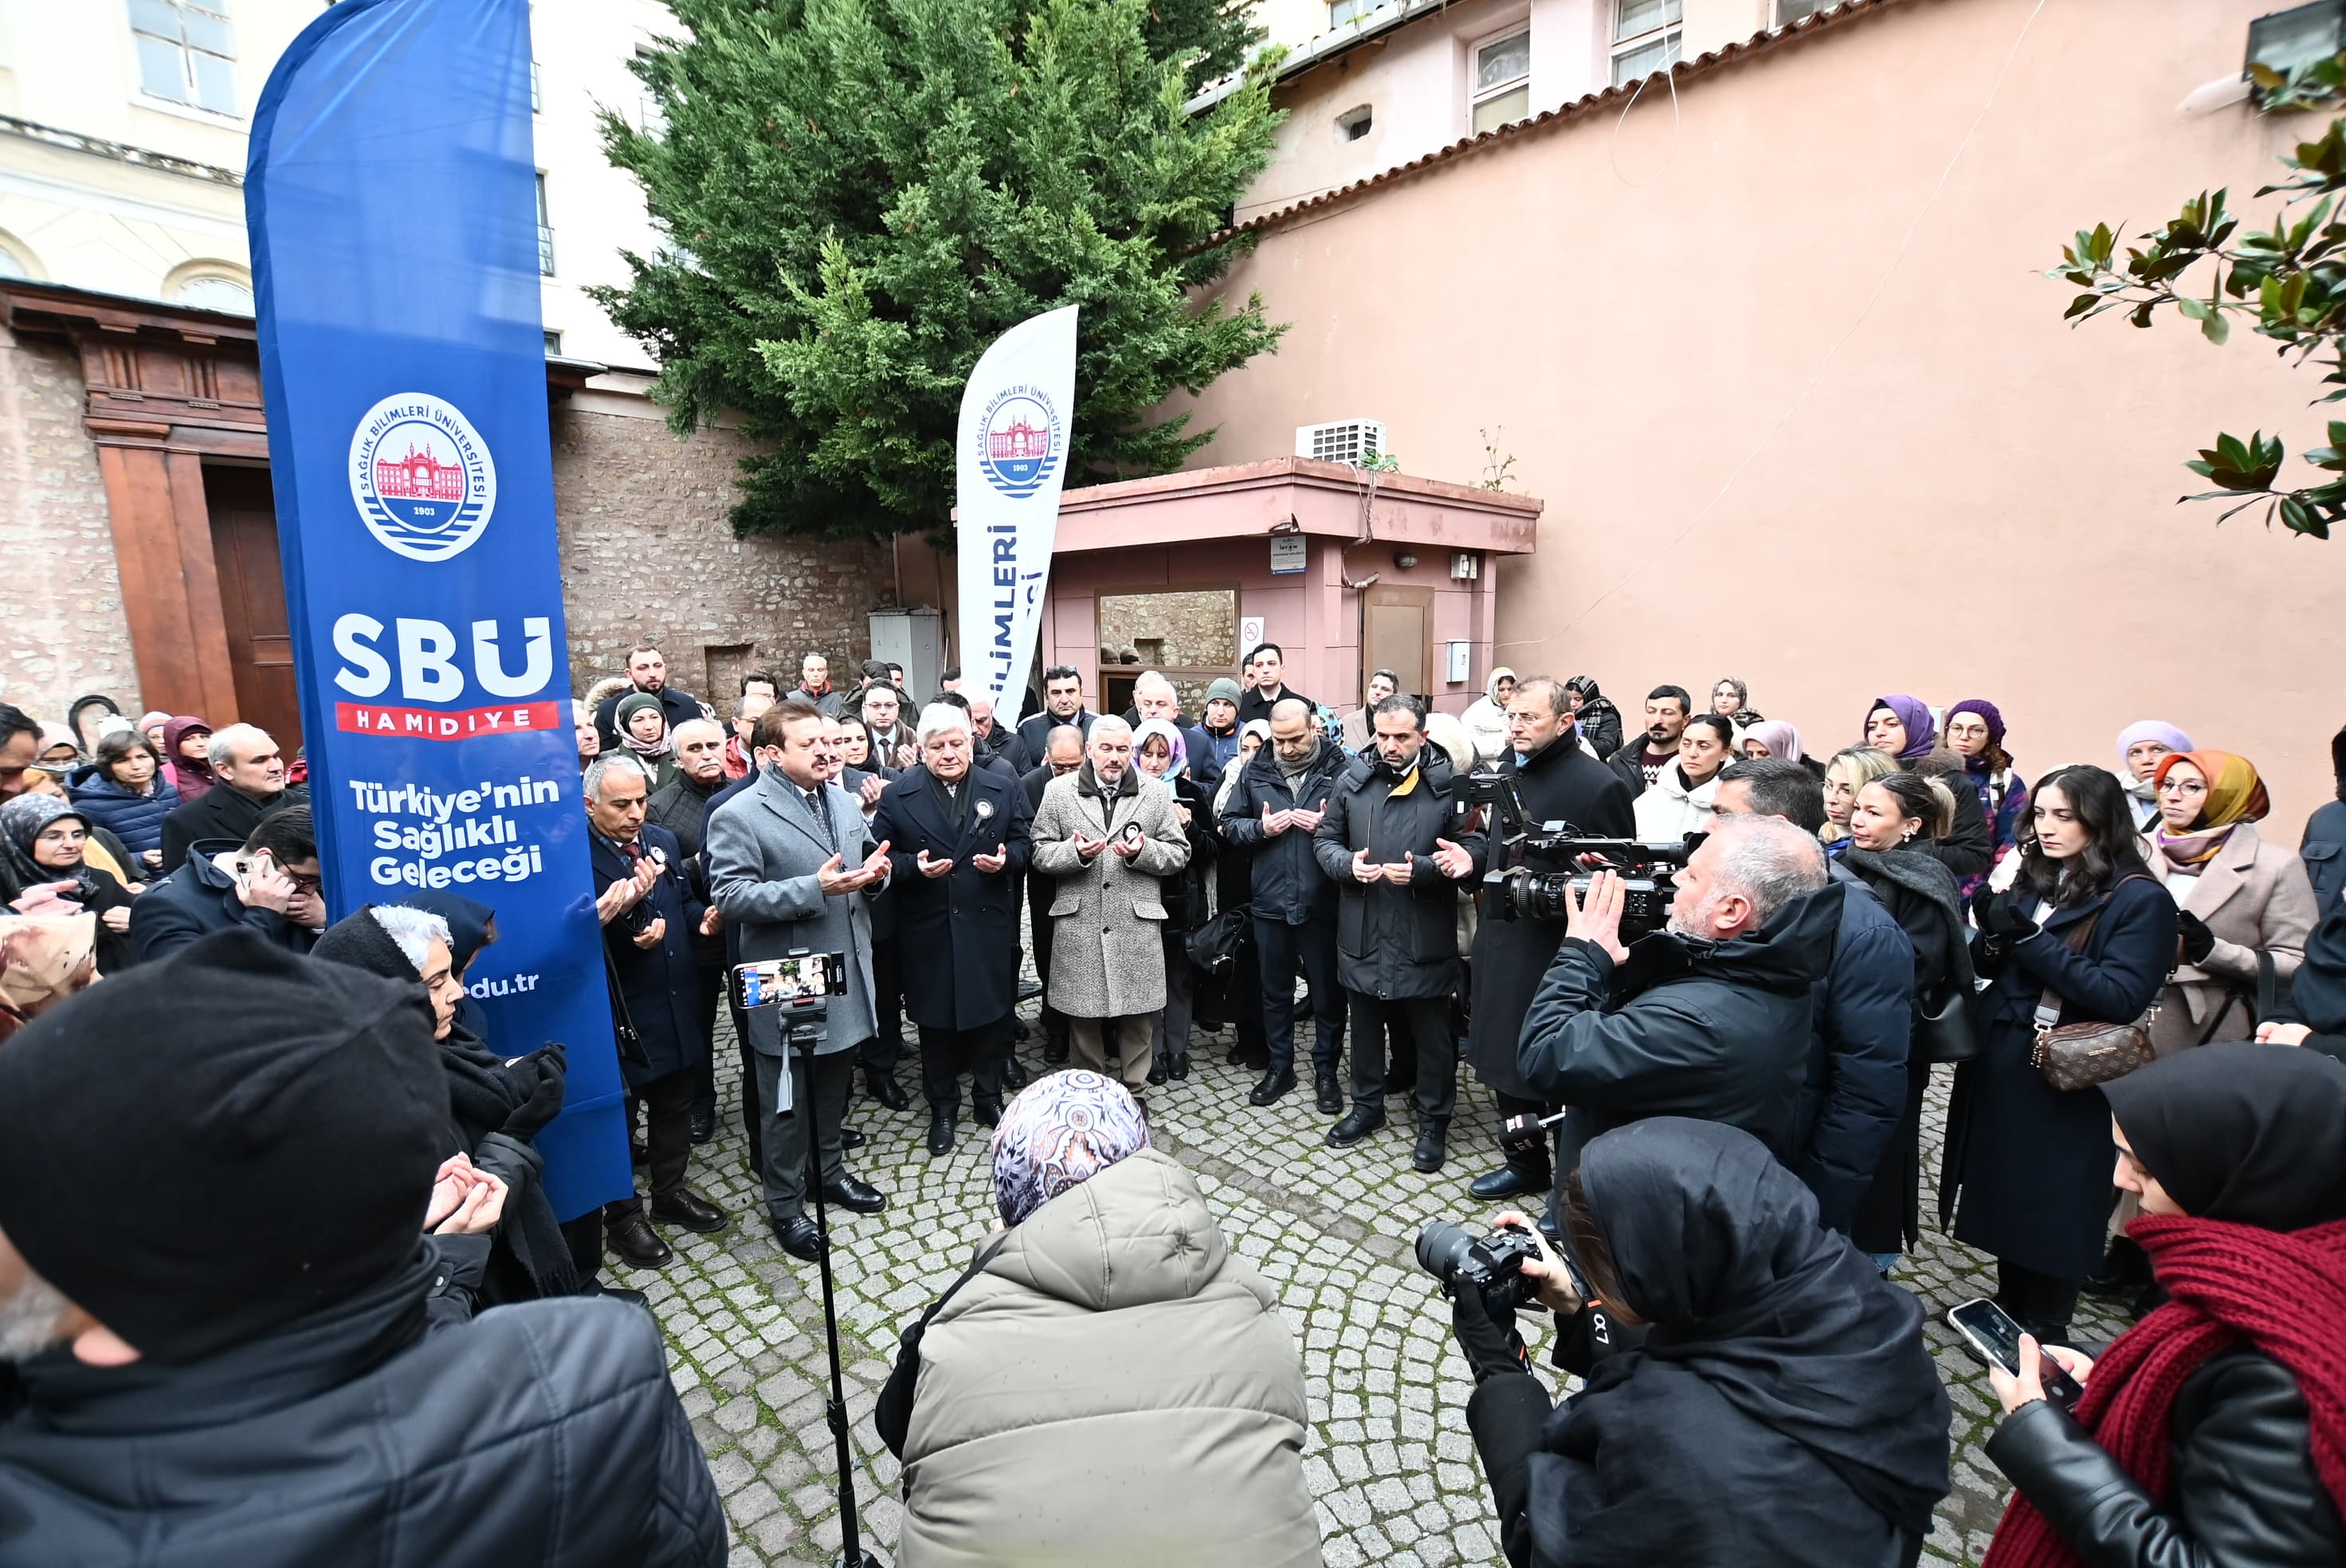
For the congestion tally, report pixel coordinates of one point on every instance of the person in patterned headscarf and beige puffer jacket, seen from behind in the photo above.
(1108, 1384)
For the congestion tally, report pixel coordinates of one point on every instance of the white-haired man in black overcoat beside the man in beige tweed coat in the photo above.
(958, 842)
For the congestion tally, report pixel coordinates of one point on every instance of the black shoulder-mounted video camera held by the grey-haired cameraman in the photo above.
(1533, 865)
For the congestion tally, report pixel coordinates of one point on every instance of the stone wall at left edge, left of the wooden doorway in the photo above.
(62, 623)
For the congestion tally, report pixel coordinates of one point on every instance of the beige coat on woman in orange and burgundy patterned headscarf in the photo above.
(2256, 898)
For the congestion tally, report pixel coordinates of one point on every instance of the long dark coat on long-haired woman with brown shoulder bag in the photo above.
(2030, 1161)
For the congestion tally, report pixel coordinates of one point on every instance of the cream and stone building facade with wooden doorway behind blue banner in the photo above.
(135, 499)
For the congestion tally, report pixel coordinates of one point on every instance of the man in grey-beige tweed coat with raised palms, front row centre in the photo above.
(1108, 834)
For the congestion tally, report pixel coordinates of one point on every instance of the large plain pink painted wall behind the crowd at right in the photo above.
(1779, 440)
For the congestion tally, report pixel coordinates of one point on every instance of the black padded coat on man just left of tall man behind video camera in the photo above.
(1397, 942)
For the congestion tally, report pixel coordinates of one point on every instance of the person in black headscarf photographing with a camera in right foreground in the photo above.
(1782, 1407)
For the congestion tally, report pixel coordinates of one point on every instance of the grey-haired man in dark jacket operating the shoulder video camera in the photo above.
(1707, 1018)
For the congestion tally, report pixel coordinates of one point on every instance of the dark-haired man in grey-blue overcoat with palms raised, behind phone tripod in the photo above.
(789, 860)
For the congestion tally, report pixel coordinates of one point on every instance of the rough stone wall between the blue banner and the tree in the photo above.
(649, 555)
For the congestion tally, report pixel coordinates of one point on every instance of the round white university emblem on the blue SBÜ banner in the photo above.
(421, 478)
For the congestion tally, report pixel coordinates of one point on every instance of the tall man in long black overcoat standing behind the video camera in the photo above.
(1554, 783)
